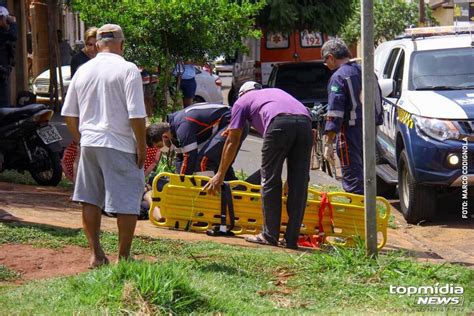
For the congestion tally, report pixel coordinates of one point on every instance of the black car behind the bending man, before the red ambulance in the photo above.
(305, 81)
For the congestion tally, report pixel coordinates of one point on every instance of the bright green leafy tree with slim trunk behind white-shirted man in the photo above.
(161, 32)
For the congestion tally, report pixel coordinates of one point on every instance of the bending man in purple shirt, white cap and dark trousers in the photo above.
(285, 125)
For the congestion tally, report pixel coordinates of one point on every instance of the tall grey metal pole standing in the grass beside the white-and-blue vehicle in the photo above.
(368, 89)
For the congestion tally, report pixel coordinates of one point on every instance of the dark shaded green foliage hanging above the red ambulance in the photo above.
(289, 15)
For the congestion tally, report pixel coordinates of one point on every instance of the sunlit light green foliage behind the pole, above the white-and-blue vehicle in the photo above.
(391, 18)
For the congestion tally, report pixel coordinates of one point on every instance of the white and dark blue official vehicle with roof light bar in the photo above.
(426, 143)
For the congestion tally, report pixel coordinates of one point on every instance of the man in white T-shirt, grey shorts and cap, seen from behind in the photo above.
(105, 113)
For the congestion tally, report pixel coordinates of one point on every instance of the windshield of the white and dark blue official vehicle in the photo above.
(447, 69)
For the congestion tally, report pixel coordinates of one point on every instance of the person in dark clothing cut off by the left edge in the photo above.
(8, 37)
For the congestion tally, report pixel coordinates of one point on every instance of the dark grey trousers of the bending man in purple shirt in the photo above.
(287, 137)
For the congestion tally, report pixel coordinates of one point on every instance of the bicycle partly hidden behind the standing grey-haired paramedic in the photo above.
(318, 161)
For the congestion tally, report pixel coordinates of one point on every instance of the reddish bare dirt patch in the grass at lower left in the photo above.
(40, 263)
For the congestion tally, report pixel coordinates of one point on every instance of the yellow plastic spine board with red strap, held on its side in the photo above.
(183, 205)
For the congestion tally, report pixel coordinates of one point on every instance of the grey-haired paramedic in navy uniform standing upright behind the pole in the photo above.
(344, 116)
